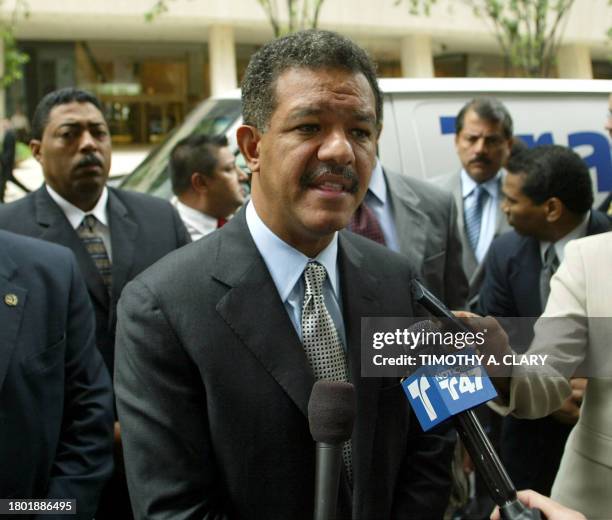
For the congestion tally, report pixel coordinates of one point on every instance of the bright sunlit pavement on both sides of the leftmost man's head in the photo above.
(124, 160)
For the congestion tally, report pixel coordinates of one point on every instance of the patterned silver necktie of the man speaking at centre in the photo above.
(321, 342)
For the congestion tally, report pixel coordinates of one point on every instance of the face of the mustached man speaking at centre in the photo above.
(312, 166)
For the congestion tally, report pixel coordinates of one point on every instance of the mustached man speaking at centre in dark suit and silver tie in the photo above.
(216, 346)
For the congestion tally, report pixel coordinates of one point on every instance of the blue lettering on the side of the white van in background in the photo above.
(599, 158)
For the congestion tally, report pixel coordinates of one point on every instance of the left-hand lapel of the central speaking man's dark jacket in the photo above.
(272, 338)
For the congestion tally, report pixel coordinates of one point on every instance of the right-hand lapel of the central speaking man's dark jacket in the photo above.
(359, 298)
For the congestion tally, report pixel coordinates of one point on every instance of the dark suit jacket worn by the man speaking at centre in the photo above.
(213, 385)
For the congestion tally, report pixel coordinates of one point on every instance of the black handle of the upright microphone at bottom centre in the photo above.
(327, 480)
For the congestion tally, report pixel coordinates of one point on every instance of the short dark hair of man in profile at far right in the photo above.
(554, 171)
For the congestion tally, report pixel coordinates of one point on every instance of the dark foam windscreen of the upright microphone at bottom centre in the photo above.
(331, 411)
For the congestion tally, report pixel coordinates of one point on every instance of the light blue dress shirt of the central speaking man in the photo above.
(286, 266)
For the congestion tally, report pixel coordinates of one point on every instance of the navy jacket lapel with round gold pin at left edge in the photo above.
(10, 316)
